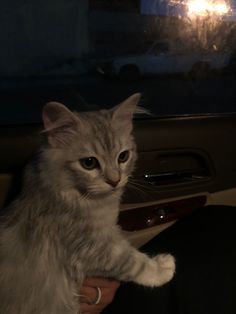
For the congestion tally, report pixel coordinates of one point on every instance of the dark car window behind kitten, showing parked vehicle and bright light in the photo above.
(92, 54)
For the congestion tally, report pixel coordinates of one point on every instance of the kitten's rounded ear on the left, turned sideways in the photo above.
(59, 123)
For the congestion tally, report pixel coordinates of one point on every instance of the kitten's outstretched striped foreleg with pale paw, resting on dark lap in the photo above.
(128, 264)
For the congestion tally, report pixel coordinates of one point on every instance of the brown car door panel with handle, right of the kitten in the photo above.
(189, 158)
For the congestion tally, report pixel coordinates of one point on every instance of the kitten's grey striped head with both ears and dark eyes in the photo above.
(90, 152)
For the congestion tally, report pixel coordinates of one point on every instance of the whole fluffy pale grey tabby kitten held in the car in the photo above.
(62, 227)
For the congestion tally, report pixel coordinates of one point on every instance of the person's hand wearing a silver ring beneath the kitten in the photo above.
(88, 293)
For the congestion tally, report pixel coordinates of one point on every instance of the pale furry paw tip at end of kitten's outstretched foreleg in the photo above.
(166, 267)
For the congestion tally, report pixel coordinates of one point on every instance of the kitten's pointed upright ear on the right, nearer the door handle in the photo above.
(123, 113)
